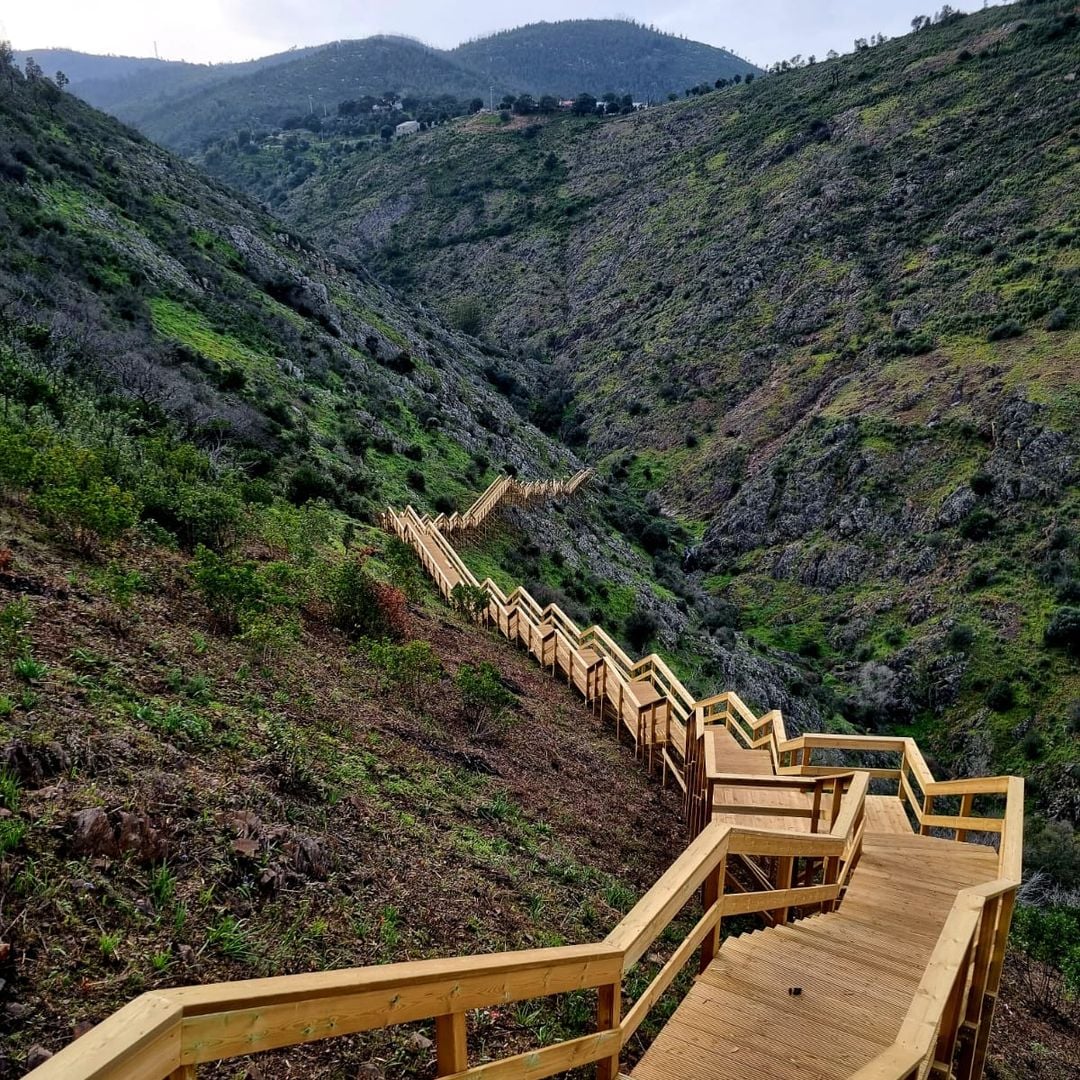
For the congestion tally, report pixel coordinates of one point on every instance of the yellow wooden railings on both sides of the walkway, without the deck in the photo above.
(171, 1033)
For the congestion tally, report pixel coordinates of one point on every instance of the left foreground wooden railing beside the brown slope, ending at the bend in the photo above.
(171, 1033)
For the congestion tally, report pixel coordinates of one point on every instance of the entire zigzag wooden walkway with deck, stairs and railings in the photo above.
(884, 929)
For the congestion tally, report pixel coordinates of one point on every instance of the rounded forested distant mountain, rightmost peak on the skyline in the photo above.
(598, 57)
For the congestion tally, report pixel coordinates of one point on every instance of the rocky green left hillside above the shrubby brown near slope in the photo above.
(130, 273)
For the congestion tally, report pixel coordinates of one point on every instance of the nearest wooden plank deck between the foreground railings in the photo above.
(857, 970)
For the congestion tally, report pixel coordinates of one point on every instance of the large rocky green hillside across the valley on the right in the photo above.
(833, 320)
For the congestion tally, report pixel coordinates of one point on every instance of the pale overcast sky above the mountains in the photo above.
(209, 31)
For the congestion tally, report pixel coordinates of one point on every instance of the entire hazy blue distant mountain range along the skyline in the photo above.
(185, 106)
